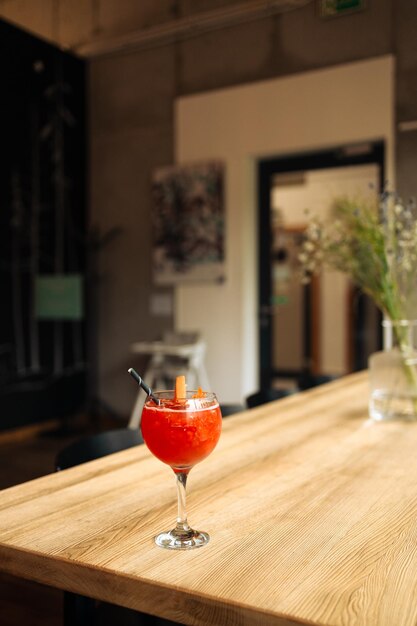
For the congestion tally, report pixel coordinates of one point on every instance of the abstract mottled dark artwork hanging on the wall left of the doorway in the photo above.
(188, 223)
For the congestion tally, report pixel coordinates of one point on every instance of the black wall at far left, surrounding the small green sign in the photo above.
(42, 225)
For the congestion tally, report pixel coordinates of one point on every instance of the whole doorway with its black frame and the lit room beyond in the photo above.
(327, 328)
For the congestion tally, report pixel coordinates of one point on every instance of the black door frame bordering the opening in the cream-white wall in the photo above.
(367, 152)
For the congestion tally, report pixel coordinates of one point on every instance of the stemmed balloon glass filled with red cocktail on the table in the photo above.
(181, 433)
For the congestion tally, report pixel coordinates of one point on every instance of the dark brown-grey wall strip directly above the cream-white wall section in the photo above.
(293, 41)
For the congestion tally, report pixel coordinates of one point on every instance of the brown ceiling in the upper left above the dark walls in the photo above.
(100, 27)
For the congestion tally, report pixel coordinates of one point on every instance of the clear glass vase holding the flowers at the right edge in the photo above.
(393, 373)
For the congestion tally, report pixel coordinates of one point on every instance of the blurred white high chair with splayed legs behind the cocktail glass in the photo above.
(175, 354)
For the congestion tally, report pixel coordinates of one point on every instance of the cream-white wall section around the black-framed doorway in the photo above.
(304, 112)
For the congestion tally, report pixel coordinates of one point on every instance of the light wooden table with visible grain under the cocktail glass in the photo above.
(311, 508)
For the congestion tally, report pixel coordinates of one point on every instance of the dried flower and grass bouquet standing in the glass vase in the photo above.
(375, 244)
